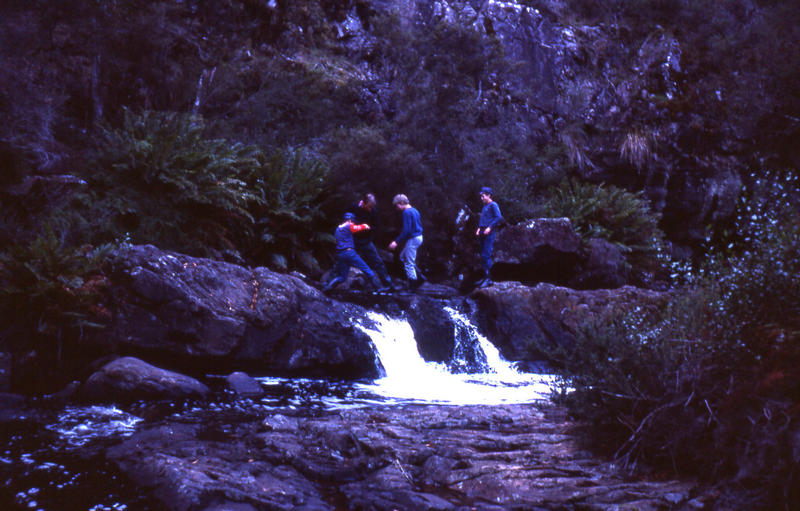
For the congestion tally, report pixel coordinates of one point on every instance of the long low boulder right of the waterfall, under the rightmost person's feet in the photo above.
(526, 322)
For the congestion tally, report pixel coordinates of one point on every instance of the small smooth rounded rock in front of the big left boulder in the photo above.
(130, 379)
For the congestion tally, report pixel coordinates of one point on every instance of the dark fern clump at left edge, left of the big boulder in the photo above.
(50, 293)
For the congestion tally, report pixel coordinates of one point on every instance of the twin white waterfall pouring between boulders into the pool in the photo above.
(410, 378)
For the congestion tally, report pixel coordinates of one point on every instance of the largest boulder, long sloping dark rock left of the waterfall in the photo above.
(207, 315)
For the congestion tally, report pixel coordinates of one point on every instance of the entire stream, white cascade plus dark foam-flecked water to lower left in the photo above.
(51, 459)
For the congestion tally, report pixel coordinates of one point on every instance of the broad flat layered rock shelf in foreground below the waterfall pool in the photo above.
(501, 457)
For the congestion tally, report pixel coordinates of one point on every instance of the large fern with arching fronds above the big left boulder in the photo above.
(157, 180)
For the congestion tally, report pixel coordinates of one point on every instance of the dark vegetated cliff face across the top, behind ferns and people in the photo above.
(428, 98)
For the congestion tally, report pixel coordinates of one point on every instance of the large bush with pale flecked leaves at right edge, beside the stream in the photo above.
(708, 384)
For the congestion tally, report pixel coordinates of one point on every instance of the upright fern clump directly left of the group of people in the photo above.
(290, 184)
